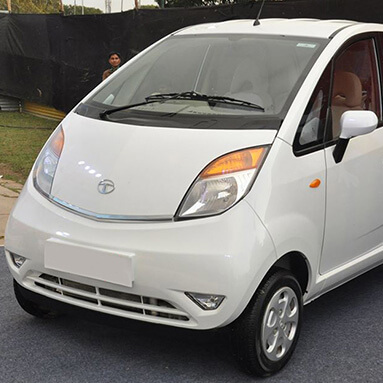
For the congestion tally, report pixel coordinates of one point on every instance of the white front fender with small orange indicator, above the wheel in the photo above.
(292, 211)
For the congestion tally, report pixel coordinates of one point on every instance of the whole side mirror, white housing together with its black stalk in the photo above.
(353, 123)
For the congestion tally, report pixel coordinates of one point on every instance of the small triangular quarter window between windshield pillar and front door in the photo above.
(311, 128)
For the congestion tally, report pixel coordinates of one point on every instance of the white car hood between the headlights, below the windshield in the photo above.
(151, 168)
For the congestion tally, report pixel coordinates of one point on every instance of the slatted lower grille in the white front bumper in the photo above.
(117, 301)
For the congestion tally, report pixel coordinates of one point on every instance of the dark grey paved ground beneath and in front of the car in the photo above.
(341, 341)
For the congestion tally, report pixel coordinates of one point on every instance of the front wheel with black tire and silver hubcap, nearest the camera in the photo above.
(261, 347)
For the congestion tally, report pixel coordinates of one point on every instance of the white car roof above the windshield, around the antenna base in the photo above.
(288, 27)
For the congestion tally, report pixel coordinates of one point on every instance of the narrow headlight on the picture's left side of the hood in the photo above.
(46, 163)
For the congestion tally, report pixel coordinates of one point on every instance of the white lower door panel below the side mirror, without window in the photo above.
(354, 220)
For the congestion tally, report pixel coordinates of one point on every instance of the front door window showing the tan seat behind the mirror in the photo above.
(355, 82)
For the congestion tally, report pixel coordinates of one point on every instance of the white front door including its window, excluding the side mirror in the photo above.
(354, 195)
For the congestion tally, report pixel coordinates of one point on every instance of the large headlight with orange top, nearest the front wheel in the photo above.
(222, 183)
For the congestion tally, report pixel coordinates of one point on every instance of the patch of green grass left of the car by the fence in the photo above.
(21, 138)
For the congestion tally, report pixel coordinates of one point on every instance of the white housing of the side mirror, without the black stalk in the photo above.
(357, 122)
